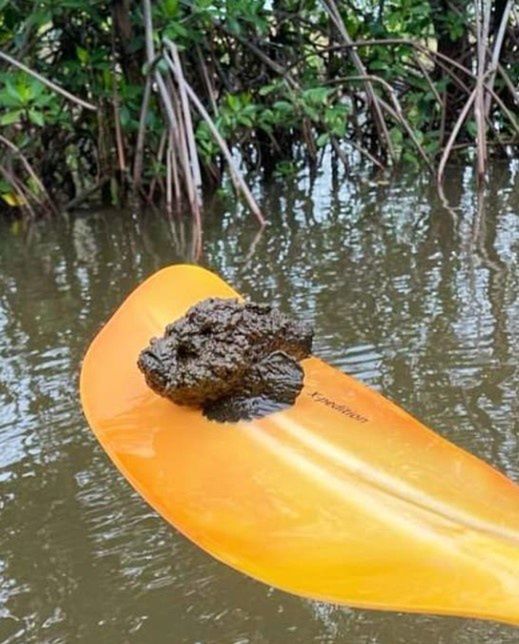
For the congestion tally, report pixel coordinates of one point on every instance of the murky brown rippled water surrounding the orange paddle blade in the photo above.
(418, 301)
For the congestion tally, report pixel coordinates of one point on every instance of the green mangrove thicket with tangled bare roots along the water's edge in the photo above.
(160, 99)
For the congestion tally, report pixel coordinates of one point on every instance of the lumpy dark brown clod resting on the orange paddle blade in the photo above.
(234, 360)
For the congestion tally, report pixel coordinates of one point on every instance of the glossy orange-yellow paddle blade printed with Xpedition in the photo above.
(344, 497)
